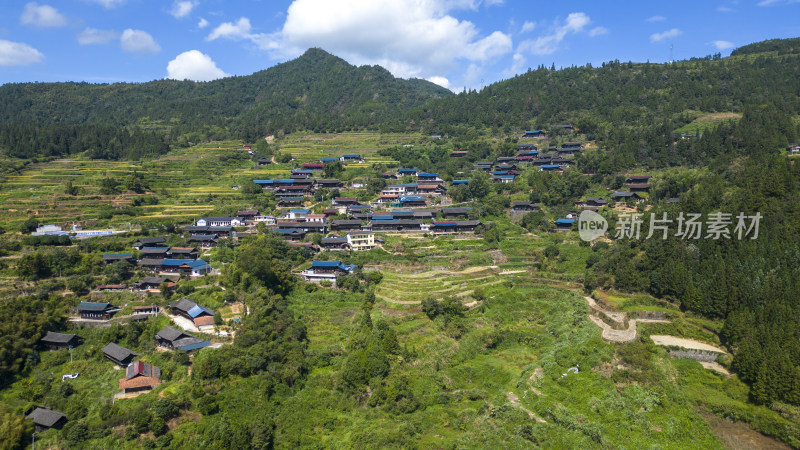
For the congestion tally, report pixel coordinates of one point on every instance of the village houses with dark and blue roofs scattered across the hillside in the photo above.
(346, 225)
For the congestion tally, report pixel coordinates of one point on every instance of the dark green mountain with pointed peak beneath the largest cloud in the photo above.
(315, 90)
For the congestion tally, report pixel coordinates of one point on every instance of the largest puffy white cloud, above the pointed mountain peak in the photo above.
(411, 38)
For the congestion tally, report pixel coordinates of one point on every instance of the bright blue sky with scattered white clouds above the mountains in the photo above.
(455, 43)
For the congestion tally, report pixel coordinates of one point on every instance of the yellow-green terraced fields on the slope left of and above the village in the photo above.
(189, 181)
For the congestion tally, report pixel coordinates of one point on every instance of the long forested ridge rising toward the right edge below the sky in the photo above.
(617, 94)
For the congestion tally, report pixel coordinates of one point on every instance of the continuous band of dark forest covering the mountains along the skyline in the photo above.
(321, 92)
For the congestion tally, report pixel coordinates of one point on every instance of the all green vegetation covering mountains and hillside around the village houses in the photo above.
(471, 340)
